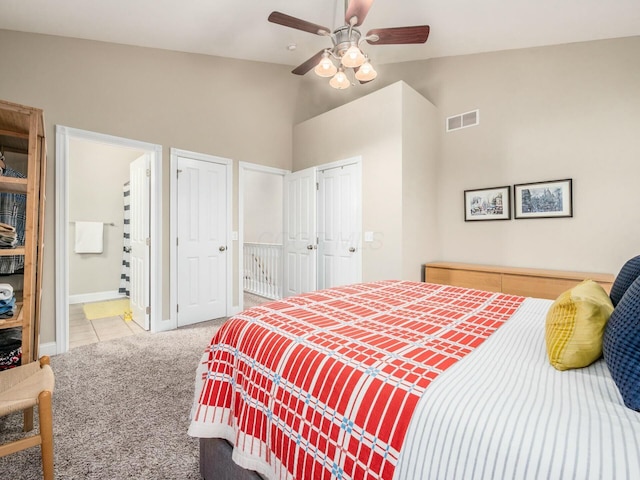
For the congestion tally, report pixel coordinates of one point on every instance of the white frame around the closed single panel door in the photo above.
(173, 227)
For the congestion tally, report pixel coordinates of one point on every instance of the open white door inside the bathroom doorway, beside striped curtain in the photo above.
(139, 183)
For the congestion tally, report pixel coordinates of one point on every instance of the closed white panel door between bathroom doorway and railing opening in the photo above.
(202, 241)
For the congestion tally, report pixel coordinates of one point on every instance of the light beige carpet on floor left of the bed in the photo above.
(120, 410)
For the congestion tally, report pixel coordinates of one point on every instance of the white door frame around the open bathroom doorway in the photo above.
(63, 136)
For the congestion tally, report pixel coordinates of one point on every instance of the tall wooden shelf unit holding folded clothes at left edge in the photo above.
(22, 131)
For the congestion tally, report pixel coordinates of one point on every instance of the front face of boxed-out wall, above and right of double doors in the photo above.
(369, 127)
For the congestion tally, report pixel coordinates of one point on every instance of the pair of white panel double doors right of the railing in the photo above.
(323, 224)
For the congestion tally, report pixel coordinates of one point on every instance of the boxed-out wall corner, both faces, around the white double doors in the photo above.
(394, 131)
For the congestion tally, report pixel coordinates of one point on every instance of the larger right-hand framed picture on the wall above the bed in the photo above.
(543, 199)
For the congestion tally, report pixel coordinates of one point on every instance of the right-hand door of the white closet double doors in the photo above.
(339, 226)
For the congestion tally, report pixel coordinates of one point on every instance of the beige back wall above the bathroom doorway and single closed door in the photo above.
(233, 109)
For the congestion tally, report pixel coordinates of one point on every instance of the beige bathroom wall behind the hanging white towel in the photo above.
(97, 174)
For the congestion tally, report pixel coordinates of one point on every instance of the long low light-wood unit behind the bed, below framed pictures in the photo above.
(528, 282)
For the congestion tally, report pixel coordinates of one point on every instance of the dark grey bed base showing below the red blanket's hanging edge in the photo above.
(216, 462)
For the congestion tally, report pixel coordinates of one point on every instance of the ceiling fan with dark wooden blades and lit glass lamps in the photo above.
(346, 43)
